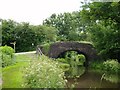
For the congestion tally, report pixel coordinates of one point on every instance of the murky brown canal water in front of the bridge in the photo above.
(92, 79)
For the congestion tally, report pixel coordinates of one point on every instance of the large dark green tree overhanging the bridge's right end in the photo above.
(103, 27)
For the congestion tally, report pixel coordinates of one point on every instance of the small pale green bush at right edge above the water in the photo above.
(111, 65)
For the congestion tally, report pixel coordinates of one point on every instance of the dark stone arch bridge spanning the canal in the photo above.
(58, 48)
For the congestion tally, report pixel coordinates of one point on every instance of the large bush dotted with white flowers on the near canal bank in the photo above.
(44, 73)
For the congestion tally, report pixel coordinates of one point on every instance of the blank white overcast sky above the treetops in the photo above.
(35, 11)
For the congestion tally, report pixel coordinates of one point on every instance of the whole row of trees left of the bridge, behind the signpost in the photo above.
(27, 36)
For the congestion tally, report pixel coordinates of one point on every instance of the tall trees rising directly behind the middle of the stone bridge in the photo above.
(69, 26)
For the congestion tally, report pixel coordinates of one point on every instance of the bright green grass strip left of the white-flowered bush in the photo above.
(12, 75)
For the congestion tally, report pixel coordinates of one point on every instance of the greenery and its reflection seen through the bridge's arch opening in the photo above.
(76, 61)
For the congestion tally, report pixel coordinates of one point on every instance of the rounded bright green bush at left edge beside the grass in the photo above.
(7, 55)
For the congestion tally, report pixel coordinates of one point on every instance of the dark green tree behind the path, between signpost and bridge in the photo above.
(25, 37)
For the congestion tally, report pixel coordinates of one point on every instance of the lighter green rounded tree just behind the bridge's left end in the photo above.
(45, 33)
